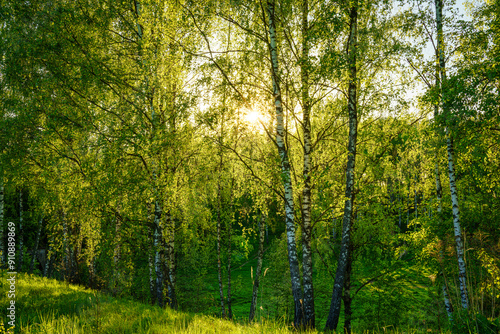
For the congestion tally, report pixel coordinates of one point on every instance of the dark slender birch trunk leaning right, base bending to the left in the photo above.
(333, 316)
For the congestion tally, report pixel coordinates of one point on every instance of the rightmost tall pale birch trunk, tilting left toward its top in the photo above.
(451, 167)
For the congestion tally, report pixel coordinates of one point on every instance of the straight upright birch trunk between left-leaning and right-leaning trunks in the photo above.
(307, 270)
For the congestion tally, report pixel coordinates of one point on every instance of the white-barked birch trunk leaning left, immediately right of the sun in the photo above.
(285, 170)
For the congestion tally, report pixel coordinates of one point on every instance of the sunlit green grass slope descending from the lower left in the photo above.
(48, 306)
